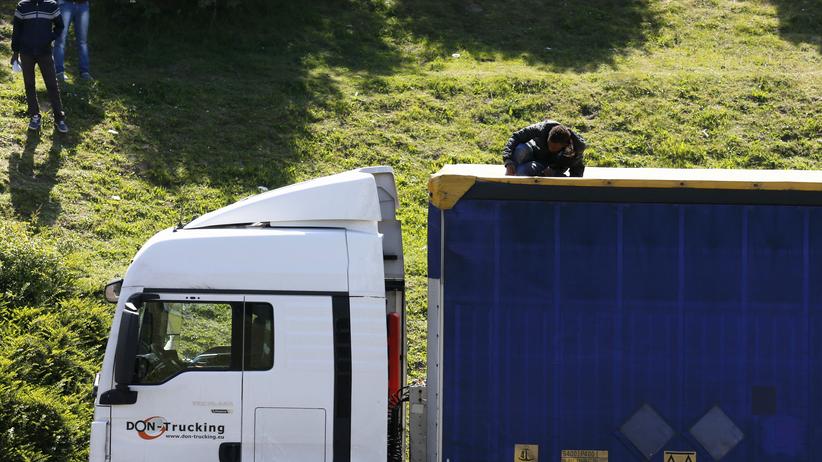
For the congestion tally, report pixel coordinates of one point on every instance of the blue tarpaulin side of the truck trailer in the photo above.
(561, 320)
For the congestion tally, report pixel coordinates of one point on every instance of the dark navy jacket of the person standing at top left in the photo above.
(36, 24)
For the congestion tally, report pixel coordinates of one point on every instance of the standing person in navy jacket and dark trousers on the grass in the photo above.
(36, 24)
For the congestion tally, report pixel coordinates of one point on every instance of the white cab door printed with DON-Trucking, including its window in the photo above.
(188, 380)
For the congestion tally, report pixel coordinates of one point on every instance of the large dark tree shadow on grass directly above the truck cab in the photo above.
(231, 106)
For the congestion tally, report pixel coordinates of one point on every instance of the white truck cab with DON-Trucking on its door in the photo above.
(258, 332)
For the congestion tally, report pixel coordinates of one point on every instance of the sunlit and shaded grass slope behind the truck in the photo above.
(188, 114)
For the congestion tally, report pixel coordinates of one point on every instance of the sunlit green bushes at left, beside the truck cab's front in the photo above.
(50, 349)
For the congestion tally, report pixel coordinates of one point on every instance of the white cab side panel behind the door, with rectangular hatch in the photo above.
(289, 389)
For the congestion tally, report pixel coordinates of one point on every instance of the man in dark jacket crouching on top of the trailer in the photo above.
(546, 148)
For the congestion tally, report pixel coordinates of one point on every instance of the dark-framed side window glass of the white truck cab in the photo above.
(179, 336)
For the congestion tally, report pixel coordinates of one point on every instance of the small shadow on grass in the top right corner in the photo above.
(800, 21)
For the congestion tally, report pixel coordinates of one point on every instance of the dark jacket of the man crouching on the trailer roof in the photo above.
(539, 133)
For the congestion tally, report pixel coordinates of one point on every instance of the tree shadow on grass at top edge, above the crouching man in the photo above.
(564, 34)
